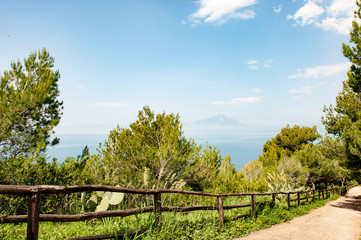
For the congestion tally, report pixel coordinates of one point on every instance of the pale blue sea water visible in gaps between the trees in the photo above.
(242, 149)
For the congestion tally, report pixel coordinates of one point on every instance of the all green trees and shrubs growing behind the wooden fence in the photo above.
(153, 153)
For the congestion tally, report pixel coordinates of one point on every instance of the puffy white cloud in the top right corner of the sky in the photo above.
(333, 15)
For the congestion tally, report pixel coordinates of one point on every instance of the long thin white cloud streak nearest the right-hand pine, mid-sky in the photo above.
(322, 71)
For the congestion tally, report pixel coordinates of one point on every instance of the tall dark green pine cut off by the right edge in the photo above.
(344, 119)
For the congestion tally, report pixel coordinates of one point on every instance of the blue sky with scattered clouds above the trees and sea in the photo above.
(261, 62)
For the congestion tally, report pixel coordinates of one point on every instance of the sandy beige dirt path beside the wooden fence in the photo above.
(338, 220)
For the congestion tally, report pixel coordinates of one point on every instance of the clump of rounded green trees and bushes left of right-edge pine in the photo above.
(291, 160)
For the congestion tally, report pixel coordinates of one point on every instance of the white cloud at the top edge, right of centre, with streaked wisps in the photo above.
(219, 11)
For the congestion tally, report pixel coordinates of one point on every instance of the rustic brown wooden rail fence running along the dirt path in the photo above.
(36, 192)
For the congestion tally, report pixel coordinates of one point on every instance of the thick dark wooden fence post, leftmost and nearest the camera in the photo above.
(33, 216)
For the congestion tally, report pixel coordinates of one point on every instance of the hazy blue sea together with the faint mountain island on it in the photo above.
(244, 143)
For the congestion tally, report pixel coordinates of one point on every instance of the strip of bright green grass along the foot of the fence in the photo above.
(194, 225)
